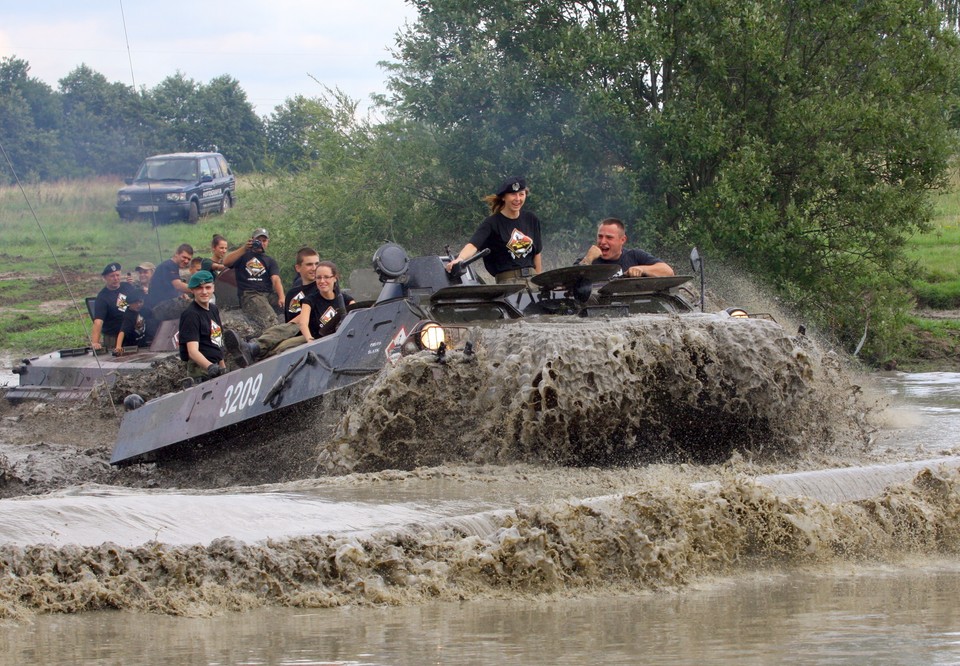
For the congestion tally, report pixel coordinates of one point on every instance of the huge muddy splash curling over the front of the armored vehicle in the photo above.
(609, 392)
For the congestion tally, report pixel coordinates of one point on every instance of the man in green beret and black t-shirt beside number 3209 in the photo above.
(201, 331)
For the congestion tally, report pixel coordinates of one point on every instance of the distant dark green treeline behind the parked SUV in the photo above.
(89, 126)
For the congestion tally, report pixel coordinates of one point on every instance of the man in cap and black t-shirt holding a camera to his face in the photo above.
(257, 276)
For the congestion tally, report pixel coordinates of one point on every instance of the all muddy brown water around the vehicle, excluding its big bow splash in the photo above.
(499, 569)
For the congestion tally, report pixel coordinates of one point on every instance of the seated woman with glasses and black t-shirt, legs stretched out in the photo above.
(320, 313)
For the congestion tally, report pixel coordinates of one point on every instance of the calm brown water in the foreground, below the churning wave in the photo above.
(905, 614)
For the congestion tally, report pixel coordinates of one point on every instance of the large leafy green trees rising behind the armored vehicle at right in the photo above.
(798, 136)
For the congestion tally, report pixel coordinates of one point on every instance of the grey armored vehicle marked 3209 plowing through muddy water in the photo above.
(420, 307)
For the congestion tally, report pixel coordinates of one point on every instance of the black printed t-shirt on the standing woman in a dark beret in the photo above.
(513, 243)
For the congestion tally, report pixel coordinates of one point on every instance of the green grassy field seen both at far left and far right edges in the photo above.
(58, 236)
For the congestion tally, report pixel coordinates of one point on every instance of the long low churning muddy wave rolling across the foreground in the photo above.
(664, 536)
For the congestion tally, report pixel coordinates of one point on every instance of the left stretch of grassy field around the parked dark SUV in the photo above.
(58, 237)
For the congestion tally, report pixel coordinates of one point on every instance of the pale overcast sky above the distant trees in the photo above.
(272, 48)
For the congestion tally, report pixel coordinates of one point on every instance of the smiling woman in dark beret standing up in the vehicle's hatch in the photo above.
(511, 234)
